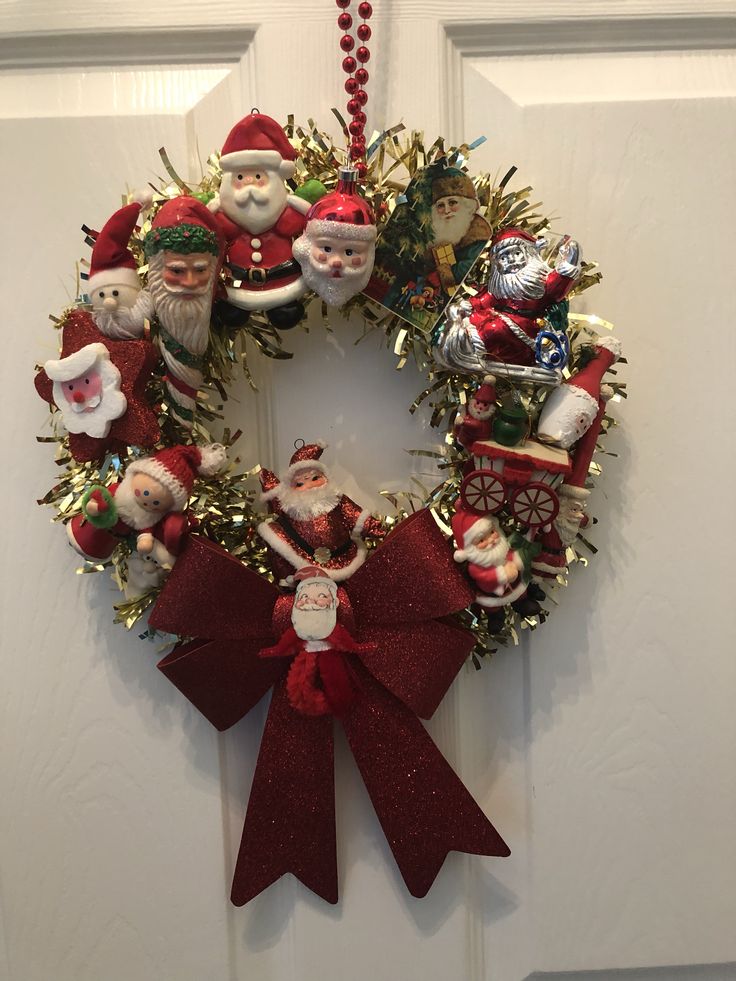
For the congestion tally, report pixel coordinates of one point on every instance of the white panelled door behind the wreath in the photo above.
(601, 748)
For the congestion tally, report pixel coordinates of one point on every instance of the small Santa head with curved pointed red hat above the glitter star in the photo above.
(120, 307)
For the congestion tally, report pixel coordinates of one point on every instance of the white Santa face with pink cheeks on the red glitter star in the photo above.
(86, 388)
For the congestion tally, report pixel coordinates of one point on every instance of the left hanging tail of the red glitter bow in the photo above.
(290, 822)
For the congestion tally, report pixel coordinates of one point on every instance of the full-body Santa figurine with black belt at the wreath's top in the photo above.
(259, 220)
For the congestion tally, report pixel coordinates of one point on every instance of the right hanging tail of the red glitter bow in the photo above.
(423, 807)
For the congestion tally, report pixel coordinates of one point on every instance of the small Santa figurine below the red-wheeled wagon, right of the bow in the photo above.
(500, 571)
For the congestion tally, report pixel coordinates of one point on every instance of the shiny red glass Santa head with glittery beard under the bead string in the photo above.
(338, 245)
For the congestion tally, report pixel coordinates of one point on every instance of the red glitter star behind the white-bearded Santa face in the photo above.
(135, 360)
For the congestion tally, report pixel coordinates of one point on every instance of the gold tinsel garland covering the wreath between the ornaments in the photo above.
(224, 507)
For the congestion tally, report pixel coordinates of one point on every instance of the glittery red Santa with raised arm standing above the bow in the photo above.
(313, 522)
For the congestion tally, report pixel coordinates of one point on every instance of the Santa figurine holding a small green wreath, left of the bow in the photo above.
(146, 509)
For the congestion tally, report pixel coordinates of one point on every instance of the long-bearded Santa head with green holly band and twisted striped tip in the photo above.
(184, 251)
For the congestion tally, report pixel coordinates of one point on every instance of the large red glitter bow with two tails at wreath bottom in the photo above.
(397, 608)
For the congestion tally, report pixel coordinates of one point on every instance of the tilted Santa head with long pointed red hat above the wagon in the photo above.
(570, 410)
